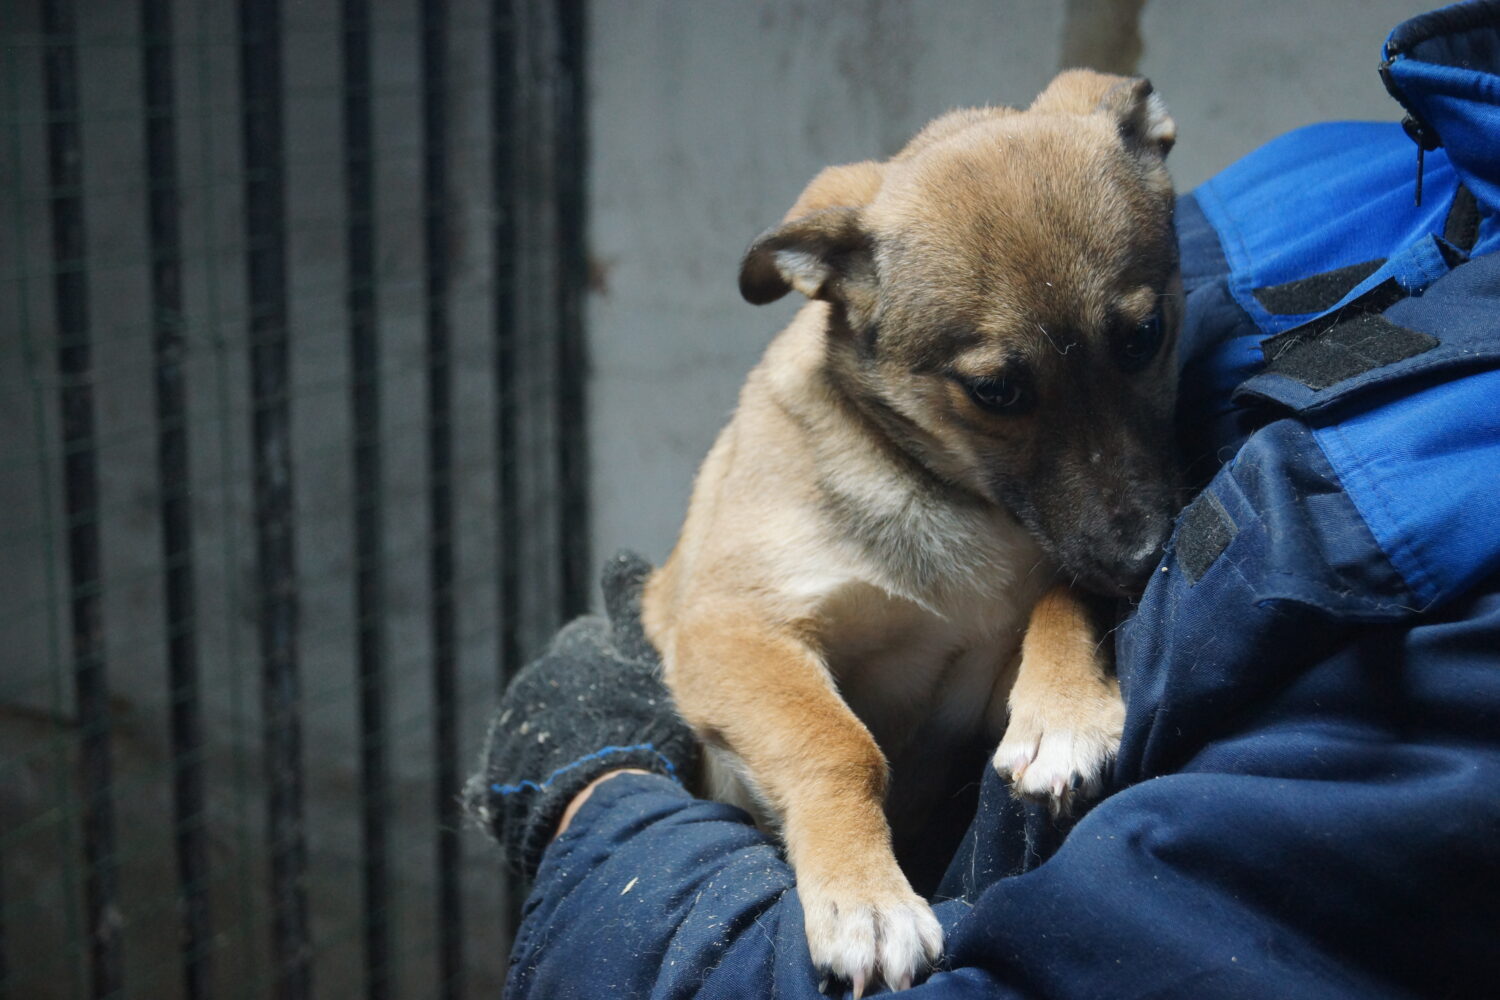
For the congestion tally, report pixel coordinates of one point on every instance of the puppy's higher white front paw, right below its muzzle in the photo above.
(1057, 753)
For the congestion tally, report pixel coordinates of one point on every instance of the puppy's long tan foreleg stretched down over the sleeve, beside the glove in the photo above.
(767, 696)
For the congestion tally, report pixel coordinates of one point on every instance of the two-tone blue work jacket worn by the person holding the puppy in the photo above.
(1307, 801)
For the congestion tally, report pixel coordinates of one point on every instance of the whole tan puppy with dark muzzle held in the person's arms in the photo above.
(974, 407)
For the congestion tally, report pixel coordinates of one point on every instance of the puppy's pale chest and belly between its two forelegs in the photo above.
(920, 630)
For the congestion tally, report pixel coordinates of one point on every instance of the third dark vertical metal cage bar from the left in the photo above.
(272, 458)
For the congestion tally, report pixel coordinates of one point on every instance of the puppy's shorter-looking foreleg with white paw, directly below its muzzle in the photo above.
(1066, 710)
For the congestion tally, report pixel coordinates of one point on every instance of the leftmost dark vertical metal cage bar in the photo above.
(82, 497)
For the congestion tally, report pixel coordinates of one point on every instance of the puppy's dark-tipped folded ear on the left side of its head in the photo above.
(826, 256)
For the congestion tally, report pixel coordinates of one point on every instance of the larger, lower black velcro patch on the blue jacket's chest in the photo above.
(1352, 347)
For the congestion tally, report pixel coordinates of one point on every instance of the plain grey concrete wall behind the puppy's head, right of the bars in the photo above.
(710, 116)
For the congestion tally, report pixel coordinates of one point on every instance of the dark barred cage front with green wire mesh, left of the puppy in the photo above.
(292, 479)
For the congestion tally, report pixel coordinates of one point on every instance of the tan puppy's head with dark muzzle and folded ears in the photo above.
(1004, 302)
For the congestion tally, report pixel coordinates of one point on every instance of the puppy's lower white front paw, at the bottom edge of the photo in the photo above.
(866, 933)
